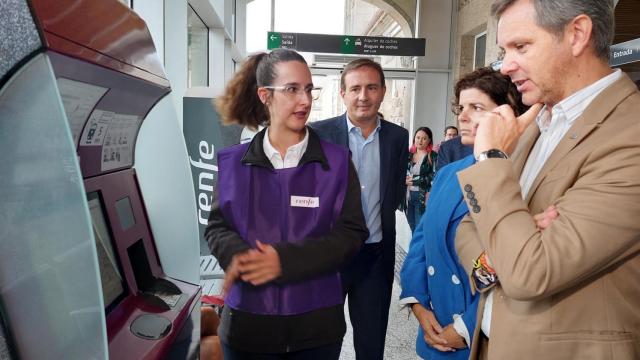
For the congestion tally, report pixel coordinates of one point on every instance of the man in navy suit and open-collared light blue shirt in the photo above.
(379, 150)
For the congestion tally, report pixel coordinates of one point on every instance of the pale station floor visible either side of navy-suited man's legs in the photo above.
(402, 330)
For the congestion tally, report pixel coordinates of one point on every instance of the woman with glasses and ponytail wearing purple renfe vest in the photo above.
(286, 215)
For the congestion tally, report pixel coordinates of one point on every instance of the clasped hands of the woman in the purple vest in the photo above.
(259, 266)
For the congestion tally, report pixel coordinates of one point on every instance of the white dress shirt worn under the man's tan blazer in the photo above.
(553, 126)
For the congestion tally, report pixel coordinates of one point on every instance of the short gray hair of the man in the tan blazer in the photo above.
(554, 15)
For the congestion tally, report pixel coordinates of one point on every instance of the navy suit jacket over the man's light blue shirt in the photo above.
(394, 150)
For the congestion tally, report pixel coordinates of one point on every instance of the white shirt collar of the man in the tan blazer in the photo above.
(569, 109)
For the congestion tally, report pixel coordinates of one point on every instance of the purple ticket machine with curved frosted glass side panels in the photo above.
(81, 275)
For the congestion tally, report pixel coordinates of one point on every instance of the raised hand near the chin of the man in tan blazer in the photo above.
(500, 129)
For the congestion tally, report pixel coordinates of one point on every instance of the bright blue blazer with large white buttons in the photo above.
(432, 273)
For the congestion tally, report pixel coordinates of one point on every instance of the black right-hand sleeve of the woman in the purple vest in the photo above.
(317, 255)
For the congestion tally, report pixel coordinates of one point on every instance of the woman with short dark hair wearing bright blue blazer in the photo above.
(433, 282)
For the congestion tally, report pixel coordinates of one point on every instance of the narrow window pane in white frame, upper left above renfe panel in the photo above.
(198, 50)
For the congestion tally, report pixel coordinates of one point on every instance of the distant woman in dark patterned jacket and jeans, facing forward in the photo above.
(420, 170)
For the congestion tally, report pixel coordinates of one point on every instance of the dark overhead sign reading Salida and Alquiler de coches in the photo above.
(347, 44)
